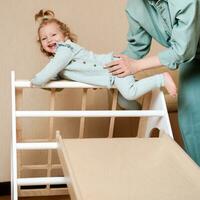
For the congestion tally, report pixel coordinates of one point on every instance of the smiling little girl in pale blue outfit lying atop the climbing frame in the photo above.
(71, 61)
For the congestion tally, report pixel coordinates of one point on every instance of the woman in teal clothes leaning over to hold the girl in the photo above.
(175, 25)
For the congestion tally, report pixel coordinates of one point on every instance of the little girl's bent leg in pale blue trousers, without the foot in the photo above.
(131, 89)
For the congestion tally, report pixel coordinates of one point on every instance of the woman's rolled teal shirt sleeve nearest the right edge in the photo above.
(184, 37)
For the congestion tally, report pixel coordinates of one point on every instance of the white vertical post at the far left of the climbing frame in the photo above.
(14, 195)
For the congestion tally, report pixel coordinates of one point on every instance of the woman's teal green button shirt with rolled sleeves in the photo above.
(173, 23)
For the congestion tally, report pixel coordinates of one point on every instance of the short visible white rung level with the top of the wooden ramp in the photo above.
(37, 146)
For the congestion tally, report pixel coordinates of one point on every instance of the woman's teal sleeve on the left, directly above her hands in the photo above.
(139, 41)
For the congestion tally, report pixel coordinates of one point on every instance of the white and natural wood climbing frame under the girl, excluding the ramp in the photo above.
(153, 115)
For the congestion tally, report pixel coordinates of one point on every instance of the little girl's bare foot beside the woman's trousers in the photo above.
(169, 84)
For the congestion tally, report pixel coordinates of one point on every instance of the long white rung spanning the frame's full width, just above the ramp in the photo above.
(92, 113)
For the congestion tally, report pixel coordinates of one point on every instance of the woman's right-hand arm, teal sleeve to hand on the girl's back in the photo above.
(184, 40)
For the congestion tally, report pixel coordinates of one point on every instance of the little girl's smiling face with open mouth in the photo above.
(50, 35)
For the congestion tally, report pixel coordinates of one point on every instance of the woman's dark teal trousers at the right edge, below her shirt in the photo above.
(189, 108)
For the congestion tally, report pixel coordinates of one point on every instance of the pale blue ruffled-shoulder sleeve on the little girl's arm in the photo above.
(63, 56)
